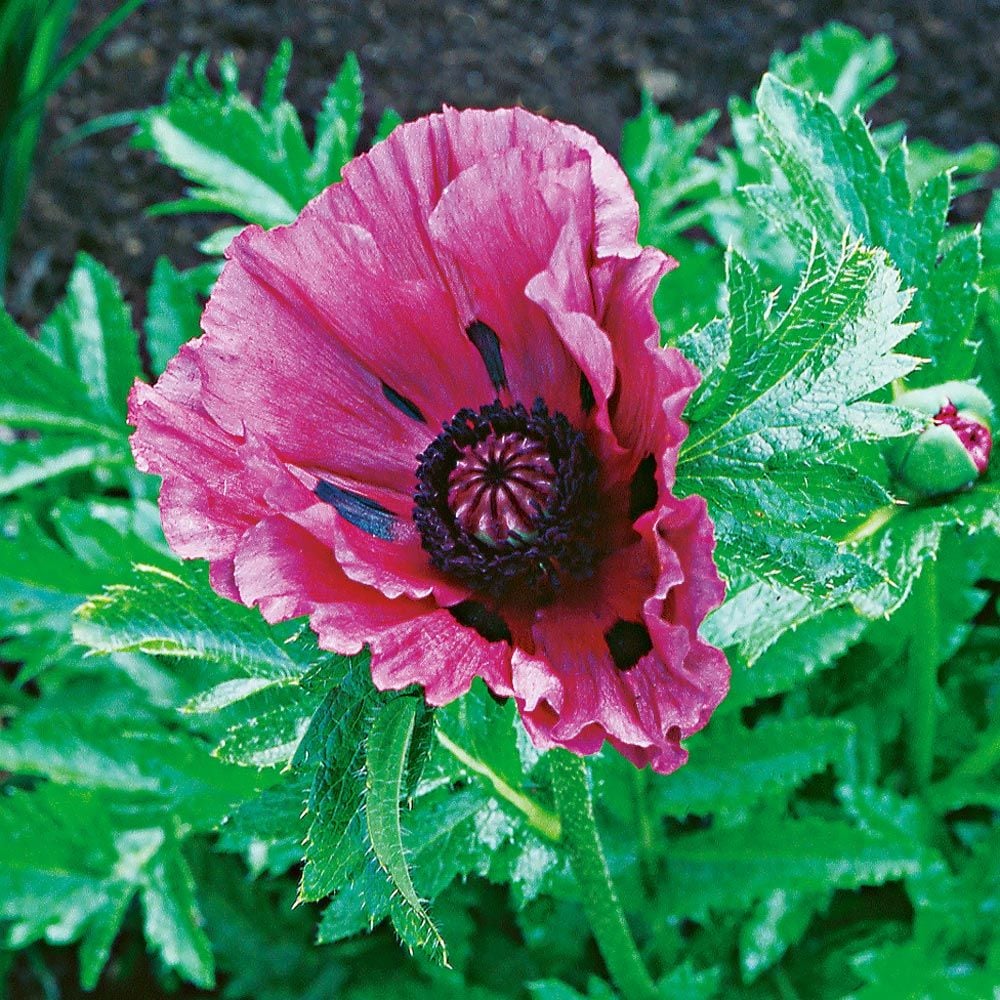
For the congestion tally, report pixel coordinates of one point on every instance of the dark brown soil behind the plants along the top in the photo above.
(583, 61)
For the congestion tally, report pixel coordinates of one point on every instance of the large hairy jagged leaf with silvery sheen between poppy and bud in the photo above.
(769, 447)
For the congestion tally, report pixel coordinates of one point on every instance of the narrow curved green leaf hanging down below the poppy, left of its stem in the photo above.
(387, 763)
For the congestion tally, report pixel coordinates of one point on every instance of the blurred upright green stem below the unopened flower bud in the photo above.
(925, 653)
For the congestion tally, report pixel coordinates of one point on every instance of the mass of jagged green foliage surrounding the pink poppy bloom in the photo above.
(182, 778)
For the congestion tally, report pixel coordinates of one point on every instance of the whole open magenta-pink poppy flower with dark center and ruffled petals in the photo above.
(433, 415)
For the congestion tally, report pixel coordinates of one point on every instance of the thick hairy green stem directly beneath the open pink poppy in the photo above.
(600, 902)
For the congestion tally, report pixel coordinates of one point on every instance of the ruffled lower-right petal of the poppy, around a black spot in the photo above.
(569, 690)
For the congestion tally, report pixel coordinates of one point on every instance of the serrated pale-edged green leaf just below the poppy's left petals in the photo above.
(166, 615)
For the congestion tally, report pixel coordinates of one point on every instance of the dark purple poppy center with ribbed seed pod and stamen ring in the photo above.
(506, 502)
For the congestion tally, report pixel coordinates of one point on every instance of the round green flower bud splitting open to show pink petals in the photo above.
(954, 451)
